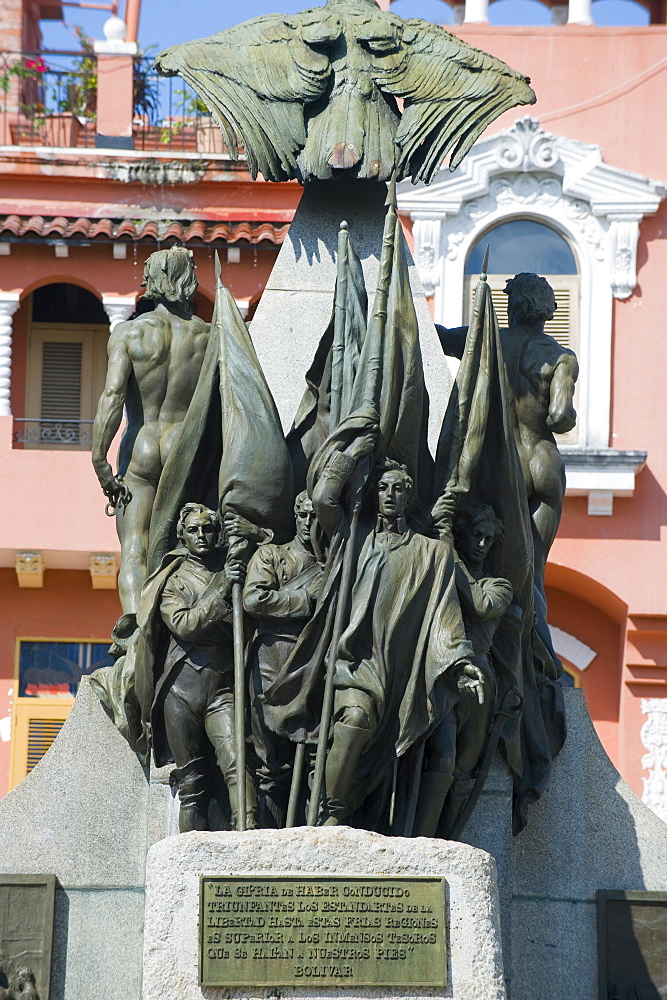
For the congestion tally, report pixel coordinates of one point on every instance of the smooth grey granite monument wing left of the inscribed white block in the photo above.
(82, 814)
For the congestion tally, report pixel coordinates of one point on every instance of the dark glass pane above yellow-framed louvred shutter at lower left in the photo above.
(54, 669)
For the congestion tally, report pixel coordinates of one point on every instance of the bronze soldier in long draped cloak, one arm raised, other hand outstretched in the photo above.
(405, 631)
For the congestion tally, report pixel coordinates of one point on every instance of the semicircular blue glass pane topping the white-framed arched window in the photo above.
(522, 245)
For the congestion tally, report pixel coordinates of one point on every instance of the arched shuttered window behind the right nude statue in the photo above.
(525, 245)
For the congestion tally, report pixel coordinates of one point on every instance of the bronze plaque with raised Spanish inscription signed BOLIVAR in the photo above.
(322, 931)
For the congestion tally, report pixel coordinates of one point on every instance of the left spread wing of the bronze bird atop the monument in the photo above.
(256, 79)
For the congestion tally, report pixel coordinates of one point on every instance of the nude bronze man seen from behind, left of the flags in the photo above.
(152, 372)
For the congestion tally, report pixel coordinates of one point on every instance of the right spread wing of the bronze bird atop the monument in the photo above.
(452, 91)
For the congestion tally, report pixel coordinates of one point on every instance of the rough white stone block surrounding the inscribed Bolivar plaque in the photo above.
(174, 867)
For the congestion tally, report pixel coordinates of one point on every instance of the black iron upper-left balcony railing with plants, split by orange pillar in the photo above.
(51, 101)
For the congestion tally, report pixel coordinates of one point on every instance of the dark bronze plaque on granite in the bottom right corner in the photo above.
(632, 945)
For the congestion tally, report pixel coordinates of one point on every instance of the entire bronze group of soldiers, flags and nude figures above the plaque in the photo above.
(336, 627)
